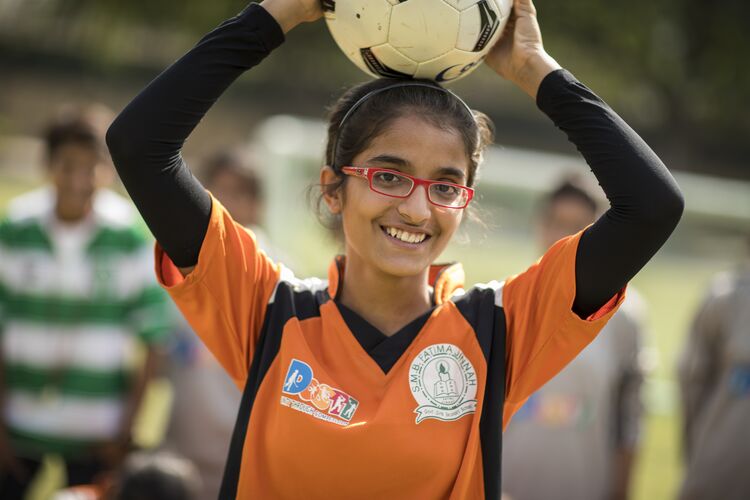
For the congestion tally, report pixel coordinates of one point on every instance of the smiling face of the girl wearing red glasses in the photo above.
(416, 147)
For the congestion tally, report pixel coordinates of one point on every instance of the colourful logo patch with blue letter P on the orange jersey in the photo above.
(325, 402)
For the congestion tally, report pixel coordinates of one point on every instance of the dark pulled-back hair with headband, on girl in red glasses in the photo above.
(427, 99)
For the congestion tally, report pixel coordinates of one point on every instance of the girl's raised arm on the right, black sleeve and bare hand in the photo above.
(645, 202)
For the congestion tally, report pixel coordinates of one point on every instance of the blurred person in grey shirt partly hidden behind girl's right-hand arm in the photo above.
(576, 437)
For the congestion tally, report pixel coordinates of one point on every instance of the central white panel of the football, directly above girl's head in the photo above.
(423, 29)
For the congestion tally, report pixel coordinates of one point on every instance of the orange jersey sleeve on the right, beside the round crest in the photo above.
(543, 332)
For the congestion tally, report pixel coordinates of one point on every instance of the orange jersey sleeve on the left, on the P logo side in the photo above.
(225, 297)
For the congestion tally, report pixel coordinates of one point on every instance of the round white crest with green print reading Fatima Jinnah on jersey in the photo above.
(443, 382)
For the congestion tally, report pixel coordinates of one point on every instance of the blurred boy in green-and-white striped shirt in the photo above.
(76, 294)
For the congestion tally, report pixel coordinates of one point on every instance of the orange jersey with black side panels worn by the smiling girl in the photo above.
(332, 409)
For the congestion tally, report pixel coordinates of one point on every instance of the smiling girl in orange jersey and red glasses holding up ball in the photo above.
(390, 380)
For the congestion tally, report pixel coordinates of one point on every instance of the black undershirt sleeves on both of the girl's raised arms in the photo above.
(146, 138)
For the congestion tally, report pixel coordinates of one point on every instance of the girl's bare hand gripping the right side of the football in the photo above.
(519, 55)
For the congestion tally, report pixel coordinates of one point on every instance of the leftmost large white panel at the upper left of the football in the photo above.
(361, 23)
